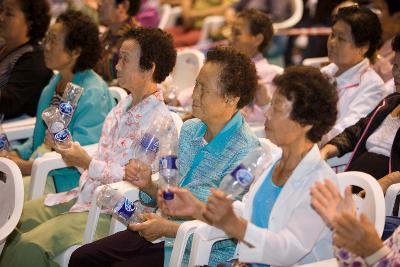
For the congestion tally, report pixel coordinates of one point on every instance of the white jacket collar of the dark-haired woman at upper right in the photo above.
(351, 77)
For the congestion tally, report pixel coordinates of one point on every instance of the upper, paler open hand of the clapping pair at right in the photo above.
(327, 201)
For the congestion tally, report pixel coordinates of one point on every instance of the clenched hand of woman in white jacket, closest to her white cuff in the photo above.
(219, 213)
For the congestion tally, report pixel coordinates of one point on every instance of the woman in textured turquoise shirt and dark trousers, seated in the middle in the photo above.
(210, 147)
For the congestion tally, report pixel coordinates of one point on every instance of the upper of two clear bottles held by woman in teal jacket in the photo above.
(71, 96)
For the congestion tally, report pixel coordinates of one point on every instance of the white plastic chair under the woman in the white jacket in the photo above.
(373, 205)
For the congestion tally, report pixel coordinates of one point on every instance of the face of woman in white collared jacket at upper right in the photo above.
(341, 47)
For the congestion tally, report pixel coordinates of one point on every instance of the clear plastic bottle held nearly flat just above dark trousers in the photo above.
(123, 209)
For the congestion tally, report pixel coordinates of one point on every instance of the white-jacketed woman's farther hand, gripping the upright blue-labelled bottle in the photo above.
(184, 203)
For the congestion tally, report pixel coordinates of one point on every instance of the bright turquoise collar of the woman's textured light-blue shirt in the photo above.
(218, 143)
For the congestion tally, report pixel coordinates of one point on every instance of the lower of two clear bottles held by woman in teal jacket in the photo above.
(57, 127)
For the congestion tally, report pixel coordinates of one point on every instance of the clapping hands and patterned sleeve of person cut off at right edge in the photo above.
(355, 238)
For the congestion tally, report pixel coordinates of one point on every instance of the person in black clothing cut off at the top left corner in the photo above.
(23, 74)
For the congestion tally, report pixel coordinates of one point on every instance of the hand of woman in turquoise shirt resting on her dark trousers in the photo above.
(155, 227)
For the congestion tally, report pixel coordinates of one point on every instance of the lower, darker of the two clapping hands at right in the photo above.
(356, 235)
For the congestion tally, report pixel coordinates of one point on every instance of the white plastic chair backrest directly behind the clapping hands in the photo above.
(373, 205)
